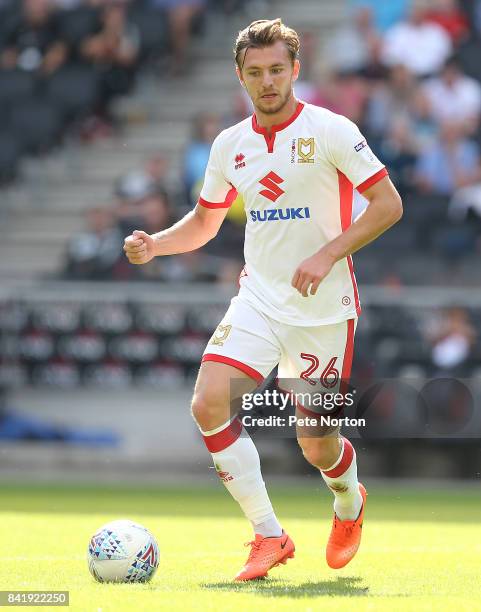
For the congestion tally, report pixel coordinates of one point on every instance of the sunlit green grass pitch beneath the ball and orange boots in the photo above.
(421, 549)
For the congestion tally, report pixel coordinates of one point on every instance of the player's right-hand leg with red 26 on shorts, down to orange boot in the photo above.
(324, 355)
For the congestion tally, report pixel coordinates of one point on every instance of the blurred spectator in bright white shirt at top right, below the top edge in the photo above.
(420, 45)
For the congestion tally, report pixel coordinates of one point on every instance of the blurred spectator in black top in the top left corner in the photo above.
(32, 40)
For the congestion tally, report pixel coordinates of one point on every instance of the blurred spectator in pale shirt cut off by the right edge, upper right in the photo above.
(453, 96)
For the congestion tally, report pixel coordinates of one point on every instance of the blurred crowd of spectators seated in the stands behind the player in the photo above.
(406, 71)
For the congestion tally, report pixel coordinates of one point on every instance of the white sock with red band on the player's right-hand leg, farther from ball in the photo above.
(341, 478)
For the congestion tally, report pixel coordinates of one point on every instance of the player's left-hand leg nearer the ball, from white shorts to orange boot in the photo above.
(242, 348)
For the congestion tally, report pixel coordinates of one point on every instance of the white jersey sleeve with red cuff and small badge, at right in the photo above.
(351, 154)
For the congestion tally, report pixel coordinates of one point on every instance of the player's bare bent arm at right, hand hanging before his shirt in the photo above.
(383, 211)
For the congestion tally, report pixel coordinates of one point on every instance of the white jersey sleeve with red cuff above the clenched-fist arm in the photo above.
(216, 191)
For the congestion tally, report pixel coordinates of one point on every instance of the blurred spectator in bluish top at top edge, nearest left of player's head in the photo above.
(181, 15)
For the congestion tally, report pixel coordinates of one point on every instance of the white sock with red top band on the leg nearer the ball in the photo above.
(238, 466)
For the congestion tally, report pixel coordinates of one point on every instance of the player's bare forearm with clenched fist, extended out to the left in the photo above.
(191, 232)
